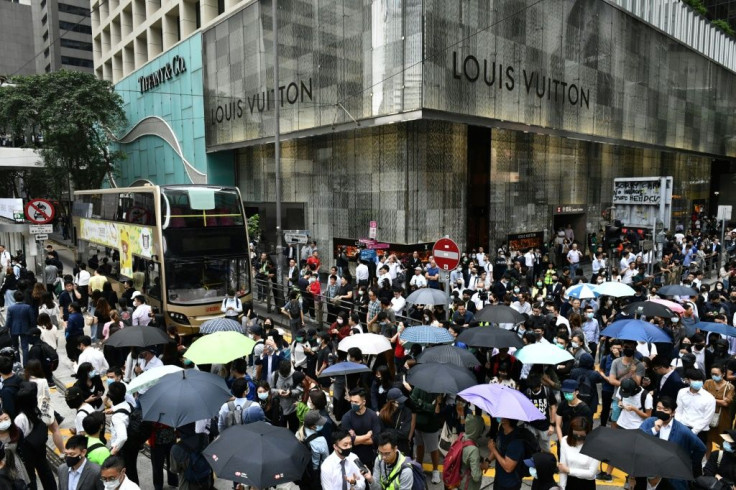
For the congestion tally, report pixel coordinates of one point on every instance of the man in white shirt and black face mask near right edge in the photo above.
(695, 406)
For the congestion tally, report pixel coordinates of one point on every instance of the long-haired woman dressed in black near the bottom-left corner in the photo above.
(35, 435)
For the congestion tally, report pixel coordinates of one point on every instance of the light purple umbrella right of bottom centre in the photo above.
(502, 401)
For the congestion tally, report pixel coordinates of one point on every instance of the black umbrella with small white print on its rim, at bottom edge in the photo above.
(274, 455)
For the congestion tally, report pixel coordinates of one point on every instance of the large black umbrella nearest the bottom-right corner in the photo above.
(638, 454)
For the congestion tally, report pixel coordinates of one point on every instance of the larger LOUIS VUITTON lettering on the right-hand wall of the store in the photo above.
(504, 77)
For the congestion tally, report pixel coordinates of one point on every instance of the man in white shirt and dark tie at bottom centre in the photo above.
(342, 469)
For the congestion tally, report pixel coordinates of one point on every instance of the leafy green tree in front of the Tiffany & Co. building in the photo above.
(70, 118)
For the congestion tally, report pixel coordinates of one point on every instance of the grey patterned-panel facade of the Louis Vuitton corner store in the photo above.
(479, 119)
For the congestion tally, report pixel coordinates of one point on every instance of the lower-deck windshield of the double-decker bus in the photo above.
(203, 280)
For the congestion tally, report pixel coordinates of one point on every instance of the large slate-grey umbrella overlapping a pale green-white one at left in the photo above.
(184, 397)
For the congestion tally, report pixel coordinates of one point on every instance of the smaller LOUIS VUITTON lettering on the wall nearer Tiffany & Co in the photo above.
(291, 93)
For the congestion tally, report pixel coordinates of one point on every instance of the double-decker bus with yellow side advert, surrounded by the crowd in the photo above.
(183, 246)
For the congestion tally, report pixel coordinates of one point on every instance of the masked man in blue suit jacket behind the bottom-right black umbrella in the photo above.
(664, 426)
